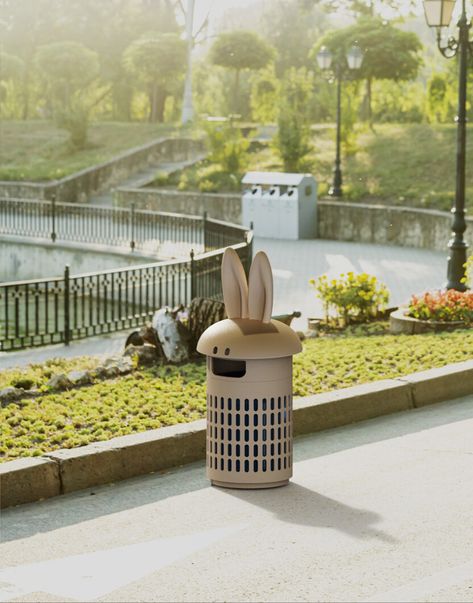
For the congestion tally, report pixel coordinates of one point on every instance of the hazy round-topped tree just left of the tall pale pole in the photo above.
(158, 60)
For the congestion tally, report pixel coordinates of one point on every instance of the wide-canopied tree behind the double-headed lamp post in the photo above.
(388, 53)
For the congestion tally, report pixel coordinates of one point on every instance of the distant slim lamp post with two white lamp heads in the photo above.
(354, 58)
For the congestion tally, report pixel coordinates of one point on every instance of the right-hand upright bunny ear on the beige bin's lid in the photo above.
(260, 297)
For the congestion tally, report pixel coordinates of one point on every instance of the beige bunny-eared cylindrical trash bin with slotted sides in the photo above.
(249, 382)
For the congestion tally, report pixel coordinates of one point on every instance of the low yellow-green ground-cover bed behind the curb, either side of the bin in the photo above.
(152, 398)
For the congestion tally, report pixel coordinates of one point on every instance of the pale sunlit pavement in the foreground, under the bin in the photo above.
(378, 511)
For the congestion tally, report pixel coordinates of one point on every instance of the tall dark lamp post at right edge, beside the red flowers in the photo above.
(438, 14)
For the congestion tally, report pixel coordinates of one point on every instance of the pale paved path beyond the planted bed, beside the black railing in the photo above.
(404, 270)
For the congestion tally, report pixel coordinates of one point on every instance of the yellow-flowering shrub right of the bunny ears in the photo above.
(351, 296)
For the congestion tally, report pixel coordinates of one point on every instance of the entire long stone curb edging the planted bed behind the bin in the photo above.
(34, 478)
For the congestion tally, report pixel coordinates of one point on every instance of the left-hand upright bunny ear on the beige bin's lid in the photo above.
(234, 285)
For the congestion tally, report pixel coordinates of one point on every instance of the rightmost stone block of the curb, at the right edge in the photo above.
(444, 383)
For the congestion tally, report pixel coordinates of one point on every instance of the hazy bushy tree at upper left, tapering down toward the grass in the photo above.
(68, 69)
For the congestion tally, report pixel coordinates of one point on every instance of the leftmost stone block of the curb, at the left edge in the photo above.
(27, 480)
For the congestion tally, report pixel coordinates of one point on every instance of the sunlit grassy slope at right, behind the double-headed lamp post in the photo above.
(398, 164)
